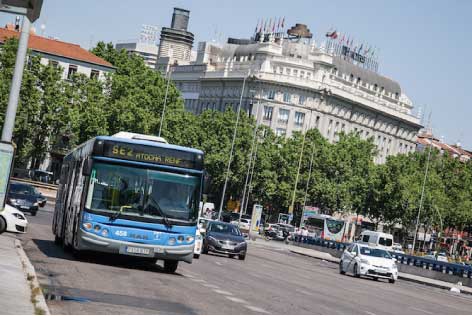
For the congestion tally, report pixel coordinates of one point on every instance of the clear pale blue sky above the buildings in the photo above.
(424, 45)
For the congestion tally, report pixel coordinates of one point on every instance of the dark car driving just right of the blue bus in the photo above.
(224, 238)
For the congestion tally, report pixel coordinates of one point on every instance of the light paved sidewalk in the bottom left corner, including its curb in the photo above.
(19, 291)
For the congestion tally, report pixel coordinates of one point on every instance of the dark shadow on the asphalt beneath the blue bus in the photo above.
(51, 250)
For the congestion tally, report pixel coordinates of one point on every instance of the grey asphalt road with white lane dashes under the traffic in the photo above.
(270, 281)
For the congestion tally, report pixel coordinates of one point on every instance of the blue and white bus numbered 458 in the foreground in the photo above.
(132, 195)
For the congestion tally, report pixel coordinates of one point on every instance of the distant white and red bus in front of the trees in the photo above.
(325, 227)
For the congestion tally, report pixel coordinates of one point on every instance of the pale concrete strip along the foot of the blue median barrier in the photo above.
(405, 276)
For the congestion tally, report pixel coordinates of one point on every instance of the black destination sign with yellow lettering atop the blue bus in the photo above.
(154, 155)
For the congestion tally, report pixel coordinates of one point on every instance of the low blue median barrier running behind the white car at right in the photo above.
(445, 271)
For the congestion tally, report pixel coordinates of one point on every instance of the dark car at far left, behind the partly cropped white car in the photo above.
(23, 197)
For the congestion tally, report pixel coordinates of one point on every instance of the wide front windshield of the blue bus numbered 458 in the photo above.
(143, 192)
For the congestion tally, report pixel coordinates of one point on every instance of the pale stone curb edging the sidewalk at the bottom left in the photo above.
(30, 273)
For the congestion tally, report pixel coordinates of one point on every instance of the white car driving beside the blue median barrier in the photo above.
(365, 260)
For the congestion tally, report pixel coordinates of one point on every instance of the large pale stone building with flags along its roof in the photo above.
(293, 85)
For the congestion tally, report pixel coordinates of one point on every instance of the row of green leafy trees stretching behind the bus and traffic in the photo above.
(54, 113)
